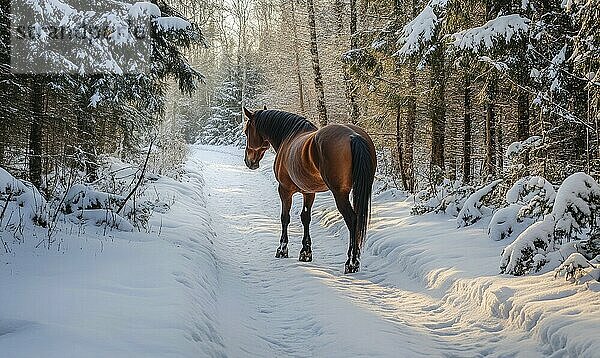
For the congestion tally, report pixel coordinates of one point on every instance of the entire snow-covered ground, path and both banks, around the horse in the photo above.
(209, 284)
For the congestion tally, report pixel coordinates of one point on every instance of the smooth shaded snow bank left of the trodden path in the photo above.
(118, 294)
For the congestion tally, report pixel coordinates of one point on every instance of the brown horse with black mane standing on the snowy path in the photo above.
(336, 157)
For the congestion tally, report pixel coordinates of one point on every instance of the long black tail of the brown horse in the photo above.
(363, 174)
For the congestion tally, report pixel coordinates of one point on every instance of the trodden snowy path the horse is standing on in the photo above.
(281, 307)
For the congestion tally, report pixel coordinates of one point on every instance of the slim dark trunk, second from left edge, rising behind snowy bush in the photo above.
(35, 132)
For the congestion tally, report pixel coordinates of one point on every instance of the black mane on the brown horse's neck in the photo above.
(280, 125)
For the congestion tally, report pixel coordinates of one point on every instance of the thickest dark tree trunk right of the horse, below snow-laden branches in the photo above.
(437, 108)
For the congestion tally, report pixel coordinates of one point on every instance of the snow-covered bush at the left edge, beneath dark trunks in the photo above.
(19, 201)
